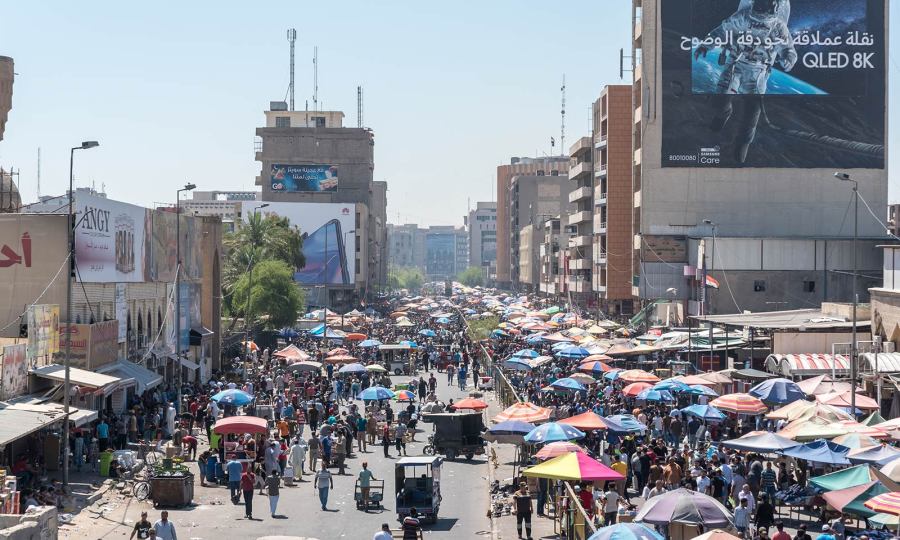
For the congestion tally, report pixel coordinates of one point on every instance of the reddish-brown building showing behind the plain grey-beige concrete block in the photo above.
(549, 166)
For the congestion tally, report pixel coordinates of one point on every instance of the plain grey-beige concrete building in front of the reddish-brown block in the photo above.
(533, 199)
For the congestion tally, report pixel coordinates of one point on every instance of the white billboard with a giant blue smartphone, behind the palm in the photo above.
(328, 235)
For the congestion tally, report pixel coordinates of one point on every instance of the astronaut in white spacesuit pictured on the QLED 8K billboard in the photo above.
(755, 38)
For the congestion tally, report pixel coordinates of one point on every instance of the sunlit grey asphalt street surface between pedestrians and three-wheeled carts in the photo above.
(462, 513)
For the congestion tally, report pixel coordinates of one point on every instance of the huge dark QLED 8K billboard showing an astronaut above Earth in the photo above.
(773, 83)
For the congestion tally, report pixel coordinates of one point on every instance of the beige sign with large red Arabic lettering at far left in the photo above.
(32, 265)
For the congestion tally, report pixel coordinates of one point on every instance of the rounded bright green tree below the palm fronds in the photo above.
(275, 297)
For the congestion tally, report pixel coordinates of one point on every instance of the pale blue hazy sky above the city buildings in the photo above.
(174, 91)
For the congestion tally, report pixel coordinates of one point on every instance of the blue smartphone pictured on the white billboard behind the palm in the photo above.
(326, 258)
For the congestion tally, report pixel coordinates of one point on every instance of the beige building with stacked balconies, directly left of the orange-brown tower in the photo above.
(580, 222)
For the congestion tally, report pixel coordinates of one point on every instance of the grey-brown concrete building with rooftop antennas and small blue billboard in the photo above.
(310, 157)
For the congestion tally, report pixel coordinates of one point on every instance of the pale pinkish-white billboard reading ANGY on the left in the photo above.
(109, 240)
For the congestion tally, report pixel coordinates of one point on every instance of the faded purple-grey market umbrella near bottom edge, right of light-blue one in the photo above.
(685, 506)
